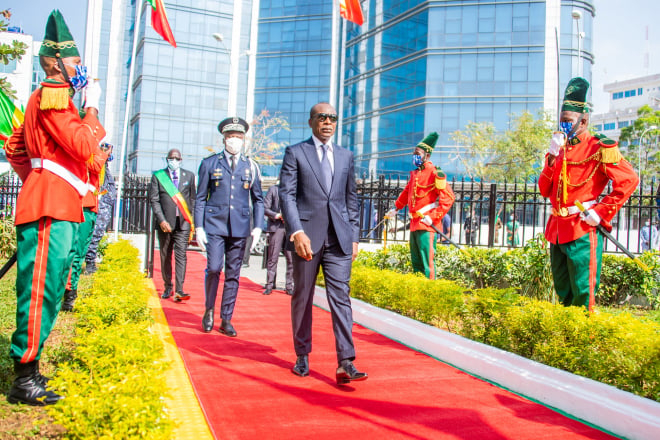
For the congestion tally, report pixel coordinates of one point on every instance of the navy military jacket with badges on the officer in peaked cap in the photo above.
(222, 205)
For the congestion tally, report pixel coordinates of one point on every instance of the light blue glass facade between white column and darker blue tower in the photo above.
(293, 64)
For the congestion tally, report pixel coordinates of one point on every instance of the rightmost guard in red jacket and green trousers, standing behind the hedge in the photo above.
(578, 167)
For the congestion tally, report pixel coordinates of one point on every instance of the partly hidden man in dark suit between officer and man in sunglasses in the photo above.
(276, 233)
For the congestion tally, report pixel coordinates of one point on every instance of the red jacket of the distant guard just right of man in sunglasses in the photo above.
(426, 186)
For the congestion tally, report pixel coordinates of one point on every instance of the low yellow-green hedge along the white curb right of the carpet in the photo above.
(614, 348)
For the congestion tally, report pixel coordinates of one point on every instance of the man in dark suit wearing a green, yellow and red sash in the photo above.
(173, 221)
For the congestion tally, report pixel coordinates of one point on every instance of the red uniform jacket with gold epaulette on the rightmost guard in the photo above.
(590, 165)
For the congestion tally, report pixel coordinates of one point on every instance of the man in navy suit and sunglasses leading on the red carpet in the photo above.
(319, 205)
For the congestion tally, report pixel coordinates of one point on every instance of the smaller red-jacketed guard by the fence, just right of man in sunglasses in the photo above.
(428, 198)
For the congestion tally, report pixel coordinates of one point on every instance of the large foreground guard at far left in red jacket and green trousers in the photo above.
(50, 152)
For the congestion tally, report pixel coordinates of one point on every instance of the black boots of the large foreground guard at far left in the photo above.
(28, 387)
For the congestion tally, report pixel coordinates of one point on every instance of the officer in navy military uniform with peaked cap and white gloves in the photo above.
(226, 185)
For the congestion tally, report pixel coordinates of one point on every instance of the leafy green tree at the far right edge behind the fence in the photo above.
(643, 152)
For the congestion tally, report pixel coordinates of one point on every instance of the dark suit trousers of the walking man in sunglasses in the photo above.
(337, 272)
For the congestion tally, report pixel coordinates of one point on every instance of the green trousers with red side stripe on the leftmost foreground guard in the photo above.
(44, 253)
